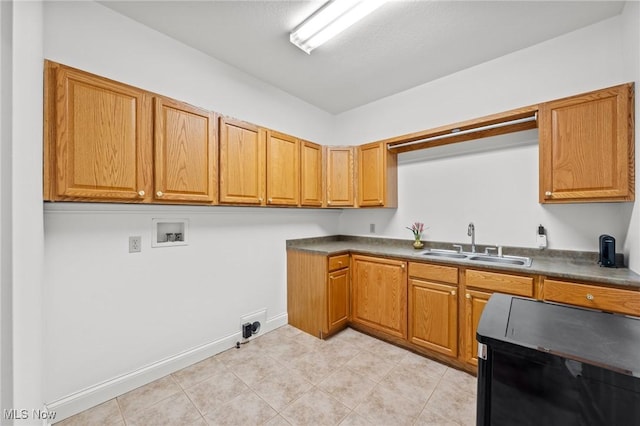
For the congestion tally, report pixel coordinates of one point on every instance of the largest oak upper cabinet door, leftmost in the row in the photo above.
(102, 138)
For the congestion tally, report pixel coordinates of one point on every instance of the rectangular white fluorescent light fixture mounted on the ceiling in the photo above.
(330, 20)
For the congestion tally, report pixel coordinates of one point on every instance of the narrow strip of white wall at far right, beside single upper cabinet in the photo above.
(631, 35)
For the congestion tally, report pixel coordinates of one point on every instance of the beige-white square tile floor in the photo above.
(287, 377)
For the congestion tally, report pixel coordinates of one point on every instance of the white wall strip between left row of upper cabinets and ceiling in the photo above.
(96, 39)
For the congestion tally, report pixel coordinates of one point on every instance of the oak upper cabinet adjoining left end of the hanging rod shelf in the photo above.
(377, 176)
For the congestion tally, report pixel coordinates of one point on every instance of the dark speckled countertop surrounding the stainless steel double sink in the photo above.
(572, 265)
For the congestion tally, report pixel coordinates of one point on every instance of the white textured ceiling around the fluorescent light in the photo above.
(401, 45)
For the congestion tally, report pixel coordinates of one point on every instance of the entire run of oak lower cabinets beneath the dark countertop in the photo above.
(429, 308)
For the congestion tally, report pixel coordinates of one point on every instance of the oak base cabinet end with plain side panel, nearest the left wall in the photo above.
(318, 292)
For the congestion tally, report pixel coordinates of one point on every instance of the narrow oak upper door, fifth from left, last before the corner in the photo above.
(311, 187)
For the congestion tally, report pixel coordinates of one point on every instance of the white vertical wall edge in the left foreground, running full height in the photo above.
(22, 228)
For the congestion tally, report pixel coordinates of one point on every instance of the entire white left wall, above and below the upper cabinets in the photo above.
(114, 320)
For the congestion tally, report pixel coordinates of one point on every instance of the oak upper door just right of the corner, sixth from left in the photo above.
(340, 182)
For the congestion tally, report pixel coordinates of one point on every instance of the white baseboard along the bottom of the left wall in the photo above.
(97, 394)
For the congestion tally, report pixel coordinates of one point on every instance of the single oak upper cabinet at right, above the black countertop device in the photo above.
(586, 147)
